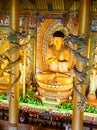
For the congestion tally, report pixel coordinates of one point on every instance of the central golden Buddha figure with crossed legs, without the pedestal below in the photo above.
(59, 63)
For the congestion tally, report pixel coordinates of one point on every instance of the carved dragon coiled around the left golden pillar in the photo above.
(13, 37)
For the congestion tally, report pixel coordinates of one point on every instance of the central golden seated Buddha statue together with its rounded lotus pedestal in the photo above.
(58, 75)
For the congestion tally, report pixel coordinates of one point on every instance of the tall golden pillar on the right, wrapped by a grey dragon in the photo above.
(84, 22)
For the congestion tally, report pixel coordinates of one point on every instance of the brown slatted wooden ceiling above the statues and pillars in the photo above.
(47, 6)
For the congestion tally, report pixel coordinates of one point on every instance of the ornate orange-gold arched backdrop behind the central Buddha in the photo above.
(49, 27)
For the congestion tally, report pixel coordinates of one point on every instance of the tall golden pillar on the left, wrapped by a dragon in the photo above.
(14, 101)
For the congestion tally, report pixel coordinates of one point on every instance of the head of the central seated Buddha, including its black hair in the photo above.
(58, 37)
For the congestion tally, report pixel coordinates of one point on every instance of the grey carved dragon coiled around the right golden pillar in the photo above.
(81, 44)
